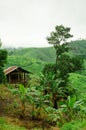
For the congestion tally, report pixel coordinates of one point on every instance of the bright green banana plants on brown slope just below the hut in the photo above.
(32, 96)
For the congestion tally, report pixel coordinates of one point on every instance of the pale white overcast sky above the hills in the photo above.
(27, 23)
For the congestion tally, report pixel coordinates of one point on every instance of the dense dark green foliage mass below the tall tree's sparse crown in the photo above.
(56, 77)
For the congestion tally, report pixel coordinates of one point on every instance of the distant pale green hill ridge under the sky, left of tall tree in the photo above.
(43, 54)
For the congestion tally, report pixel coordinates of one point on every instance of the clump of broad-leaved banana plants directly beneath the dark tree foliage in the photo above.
(51, 86)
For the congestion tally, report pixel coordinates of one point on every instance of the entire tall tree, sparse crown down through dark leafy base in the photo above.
(59, 72)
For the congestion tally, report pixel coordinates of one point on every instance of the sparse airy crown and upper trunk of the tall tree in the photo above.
(57, 38)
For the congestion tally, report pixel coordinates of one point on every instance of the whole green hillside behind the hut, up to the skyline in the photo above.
(32, 59)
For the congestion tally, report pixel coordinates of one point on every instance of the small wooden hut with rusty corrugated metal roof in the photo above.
(16, 74)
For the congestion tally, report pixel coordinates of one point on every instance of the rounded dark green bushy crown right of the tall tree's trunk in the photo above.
(67, 64)
